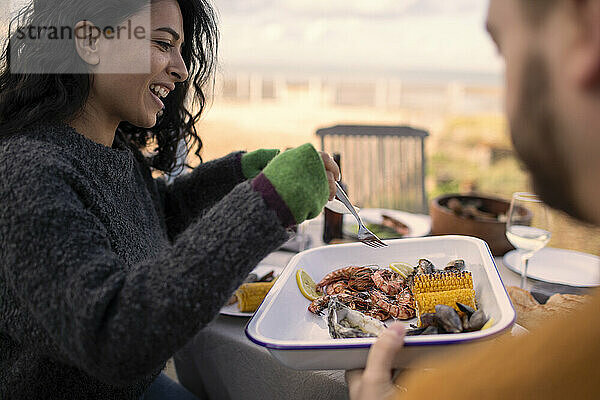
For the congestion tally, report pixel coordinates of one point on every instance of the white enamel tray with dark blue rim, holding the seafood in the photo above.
(300, 340)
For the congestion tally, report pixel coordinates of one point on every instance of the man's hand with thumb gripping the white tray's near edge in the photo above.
(375, 381)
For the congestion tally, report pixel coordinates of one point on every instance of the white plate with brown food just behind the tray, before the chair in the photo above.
(419, 225)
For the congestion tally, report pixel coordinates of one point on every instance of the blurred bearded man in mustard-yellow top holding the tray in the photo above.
(552, 54)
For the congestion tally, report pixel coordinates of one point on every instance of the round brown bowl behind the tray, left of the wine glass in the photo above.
(475, 215)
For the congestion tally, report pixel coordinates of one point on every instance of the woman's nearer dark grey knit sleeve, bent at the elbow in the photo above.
(116, 321)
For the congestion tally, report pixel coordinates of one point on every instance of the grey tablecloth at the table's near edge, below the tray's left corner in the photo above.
(221, 363)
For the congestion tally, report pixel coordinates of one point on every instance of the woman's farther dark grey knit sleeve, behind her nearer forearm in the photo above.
(191, 194)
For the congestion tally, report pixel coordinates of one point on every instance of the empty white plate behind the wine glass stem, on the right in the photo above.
(560, 266)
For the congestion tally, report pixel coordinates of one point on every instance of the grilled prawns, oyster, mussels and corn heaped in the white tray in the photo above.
(359, 298)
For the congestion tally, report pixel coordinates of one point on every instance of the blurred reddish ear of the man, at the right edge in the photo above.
(587, 53)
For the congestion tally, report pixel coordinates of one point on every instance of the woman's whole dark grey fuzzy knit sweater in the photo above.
(106, 272)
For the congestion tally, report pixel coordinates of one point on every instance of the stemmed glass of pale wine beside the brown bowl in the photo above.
(527, 227)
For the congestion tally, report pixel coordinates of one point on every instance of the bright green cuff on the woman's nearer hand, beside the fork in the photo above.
(299, 178)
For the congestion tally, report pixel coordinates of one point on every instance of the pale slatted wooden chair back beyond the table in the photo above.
(382, 166)
